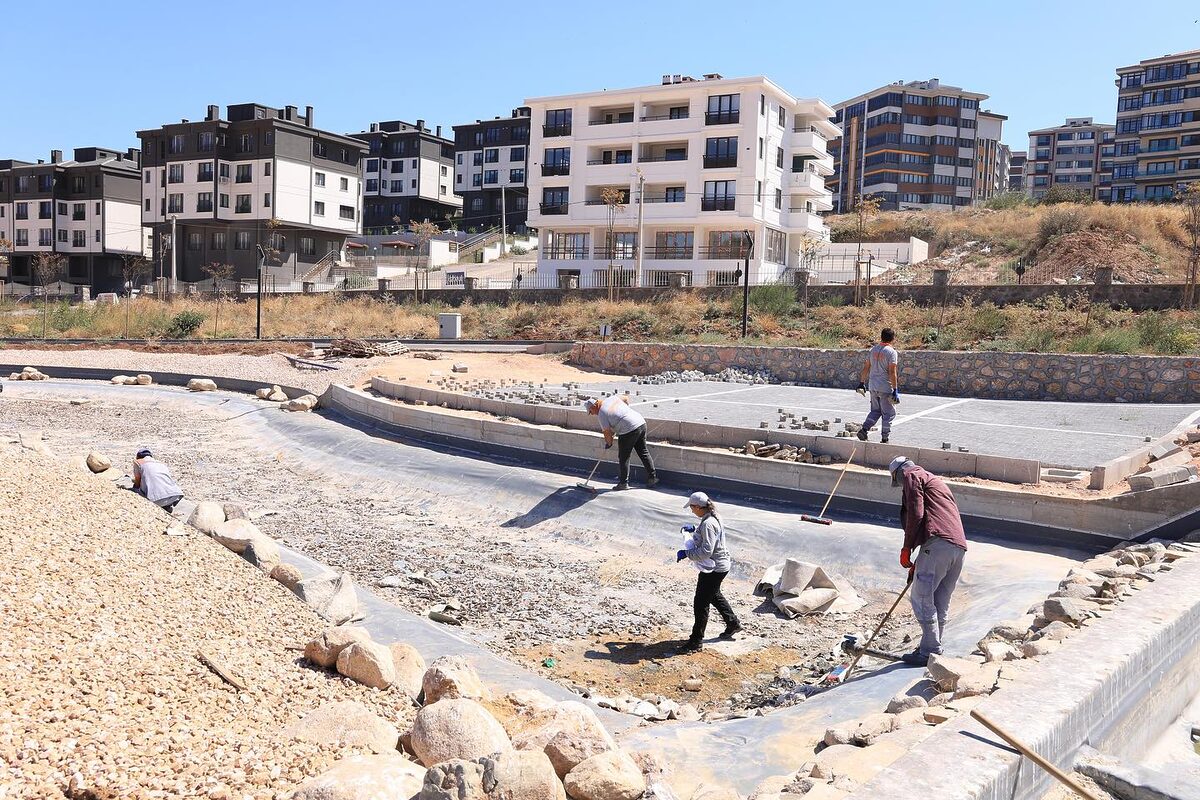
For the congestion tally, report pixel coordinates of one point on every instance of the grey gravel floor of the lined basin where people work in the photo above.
(549, 591)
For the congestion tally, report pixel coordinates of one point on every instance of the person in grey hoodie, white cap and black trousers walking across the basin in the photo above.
(711, 557)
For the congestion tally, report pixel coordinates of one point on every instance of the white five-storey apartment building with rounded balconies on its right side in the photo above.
(697, 164)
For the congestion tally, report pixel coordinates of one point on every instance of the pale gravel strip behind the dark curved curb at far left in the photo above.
(267, 369)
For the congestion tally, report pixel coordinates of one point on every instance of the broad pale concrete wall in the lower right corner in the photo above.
(1108, 687)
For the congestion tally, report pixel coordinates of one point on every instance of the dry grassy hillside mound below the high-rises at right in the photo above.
(1060, 244)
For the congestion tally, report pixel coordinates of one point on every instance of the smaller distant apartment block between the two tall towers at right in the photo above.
(1069, 155)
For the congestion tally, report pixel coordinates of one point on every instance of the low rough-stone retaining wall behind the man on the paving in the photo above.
(994, 376)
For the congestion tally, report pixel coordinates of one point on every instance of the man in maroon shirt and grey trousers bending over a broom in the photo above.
(932, 526)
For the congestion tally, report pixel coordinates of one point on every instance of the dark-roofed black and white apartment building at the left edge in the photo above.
(86, 210)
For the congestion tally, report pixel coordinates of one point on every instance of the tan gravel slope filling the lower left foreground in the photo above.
(101, 691)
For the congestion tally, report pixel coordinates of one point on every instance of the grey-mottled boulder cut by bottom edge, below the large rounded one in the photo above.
(503, 777)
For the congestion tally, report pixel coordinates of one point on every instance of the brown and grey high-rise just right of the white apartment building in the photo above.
(914, 146)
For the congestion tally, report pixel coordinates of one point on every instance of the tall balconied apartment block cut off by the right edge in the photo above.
(1157, 140)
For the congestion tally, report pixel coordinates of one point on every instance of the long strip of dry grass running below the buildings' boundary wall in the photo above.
(777, 318)
